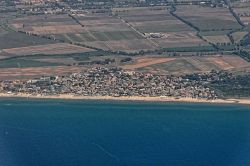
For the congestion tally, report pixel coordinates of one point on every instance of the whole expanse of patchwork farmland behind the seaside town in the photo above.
(172, 38)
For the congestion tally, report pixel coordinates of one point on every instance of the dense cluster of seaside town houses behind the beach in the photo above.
(111, 82)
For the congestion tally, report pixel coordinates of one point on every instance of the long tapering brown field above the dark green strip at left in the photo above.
(60, 48)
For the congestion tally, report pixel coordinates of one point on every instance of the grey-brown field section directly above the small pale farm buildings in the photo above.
(152, 20)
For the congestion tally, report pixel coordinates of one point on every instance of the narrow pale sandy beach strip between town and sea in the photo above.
(131, 98)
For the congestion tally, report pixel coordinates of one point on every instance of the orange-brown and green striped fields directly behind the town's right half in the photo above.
(184, 65)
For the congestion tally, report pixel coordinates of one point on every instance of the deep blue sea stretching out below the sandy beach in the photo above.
(107, 133)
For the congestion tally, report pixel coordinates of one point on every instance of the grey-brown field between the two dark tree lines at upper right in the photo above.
(207, 18)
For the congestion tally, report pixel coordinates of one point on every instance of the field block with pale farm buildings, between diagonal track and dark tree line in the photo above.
(160, 27)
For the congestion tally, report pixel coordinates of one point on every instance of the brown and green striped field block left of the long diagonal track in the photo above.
(99, 31)
